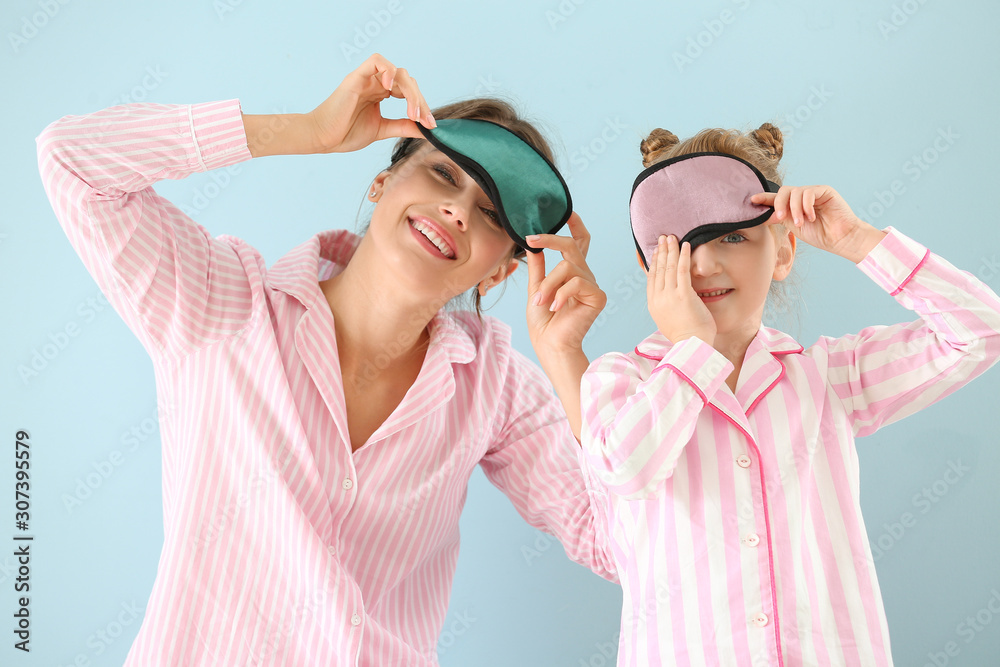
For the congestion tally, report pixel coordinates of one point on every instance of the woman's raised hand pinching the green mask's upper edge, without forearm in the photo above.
(350, 118)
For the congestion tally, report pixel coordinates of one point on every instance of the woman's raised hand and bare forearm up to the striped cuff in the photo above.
(349, 119)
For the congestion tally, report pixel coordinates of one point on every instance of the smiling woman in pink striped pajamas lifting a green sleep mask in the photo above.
(326, 413)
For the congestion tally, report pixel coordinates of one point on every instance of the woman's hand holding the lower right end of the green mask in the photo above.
(562, 305)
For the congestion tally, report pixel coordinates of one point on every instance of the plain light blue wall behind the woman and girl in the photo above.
(857, 101)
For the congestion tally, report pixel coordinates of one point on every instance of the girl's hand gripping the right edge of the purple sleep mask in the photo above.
(821, 218)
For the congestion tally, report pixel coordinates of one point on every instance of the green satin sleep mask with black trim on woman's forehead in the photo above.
(529, 193)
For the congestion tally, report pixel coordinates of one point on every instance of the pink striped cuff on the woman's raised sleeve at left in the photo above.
(219, 137)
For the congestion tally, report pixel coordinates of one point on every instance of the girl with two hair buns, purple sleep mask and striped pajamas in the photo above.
(723, 451)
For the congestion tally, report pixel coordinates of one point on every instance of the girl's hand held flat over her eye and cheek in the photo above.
(674, 305)
